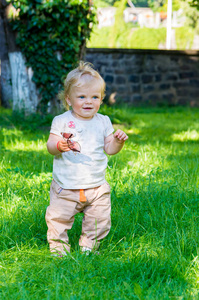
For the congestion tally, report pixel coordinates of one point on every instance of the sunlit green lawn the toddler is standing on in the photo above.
(151, 251)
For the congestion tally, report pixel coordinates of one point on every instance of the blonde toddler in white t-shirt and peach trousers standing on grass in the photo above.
(78, 139)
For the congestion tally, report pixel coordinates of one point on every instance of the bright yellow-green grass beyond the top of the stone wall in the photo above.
(139, 38)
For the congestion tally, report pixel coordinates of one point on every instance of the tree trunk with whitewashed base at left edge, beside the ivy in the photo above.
(17, 88)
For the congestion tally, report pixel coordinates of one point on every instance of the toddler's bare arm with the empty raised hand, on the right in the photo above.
(114, 142)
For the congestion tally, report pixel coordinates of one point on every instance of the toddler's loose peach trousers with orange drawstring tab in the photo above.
(65, 204)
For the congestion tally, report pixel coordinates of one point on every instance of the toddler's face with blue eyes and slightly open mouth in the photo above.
(86, 98)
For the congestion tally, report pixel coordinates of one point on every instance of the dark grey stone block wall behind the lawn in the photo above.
(151, 77)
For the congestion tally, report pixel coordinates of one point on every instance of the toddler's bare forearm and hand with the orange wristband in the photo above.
(55, 142)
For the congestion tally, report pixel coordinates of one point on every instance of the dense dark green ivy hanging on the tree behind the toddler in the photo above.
(51, 35)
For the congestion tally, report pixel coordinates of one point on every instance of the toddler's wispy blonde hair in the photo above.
(73, 78)
